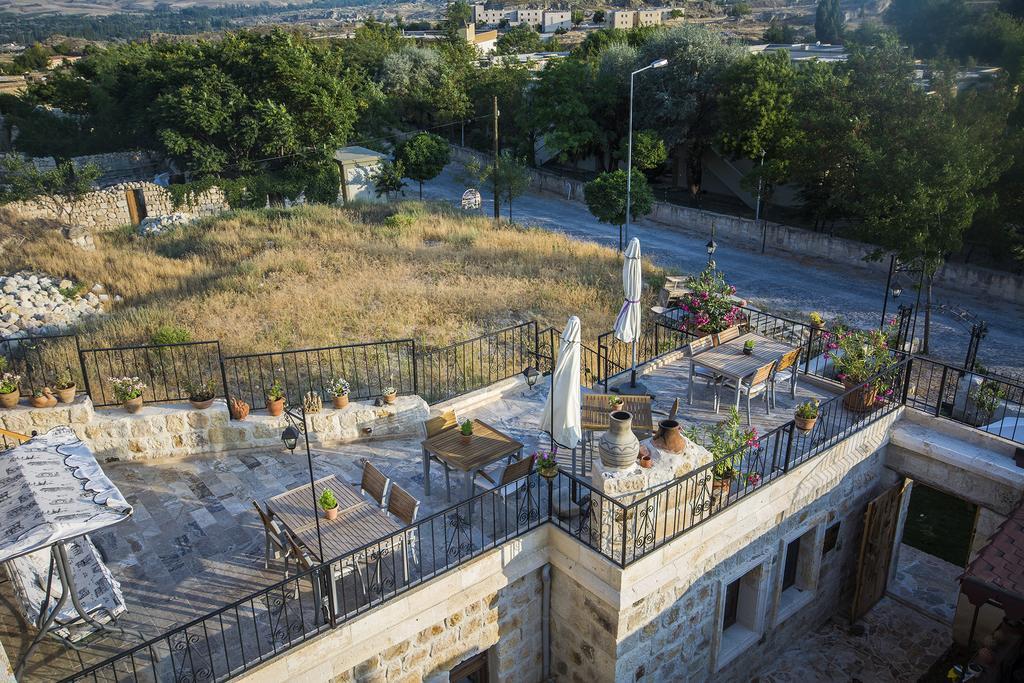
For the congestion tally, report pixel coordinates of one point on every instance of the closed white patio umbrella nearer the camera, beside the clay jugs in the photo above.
(562, 417)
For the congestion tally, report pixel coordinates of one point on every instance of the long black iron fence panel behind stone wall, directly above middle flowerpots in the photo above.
(369, 368)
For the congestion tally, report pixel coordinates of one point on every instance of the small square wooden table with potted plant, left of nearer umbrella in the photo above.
(487, 446)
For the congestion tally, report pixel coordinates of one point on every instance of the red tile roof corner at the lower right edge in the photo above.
(998, 573)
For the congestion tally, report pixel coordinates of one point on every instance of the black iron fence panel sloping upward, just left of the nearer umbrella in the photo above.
(452, 371)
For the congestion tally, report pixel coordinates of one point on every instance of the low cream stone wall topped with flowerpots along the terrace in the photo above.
(172, 431)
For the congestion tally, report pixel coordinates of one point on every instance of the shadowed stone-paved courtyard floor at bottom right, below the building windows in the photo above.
(893, 643)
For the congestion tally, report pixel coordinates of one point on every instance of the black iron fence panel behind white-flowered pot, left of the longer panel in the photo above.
(168, 370)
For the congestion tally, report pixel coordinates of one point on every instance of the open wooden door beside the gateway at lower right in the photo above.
(881, 522)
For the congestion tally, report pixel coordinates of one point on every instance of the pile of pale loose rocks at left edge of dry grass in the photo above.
(32, 304)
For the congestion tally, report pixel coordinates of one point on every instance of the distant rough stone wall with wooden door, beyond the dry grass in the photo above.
(107, 209)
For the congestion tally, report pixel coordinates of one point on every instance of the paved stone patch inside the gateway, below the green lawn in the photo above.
(927, 583)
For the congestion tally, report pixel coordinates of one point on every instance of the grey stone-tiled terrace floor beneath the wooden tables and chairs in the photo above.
(195, 544)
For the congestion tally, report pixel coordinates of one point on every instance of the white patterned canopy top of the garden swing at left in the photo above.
(53, 489)
